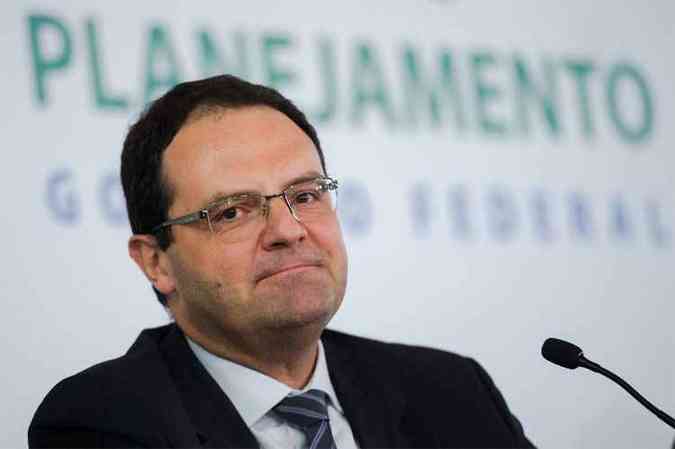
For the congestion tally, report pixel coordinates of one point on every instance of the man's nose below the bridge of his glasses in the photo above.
(283, 228)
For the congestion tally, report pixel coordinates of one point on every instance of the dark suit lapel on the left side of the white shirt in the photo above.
(216, 420)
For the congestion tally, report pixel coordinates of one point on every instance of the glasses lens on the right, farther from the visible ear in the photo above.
(313, 198)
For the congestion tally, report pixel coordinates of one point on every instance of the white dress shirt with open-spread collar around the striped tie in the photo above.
(254, 395)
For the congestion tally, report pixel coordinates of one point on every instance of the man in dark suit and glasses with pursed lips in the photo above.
(234, 224)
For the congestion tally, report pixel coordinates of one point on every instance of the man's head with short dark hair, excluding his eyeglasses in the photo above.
(206, 140)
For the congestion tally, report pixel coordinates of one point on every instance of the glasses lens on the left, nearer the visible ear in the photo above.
(234, 213)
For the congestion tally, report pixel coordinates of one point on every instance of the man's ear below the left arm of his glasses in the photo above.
(153, 261)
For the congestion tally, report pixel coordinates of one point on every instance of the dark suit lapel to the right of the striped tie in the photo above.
(372, 404)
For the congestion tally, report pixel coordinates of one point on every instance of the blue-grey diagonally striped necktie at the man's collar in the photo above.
(308, 413)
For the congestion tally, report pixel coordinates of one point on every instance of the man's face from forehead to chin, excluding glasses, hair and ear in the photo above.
(286, 275)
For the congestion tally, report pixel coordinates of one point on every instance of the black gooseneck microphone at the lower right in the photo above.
(571, 356)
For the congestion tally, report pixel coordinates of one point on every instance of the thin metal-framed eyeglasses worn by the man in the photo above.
(235, 217)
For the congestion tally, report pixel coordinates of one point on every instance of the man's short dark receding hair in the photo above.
(148, 196)
